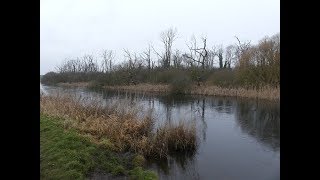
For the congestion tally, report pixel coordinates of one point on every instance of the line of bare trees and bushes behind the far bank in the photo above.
(238, 65)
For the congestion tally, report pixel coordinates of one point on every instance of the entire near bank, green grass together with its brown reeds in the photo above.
(80, 136)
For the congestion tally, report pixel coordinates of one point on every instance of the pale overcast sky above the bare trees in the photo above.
(73, 28)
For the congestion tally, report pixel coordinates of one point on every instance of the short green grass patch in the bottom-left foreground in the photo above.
(65, 154)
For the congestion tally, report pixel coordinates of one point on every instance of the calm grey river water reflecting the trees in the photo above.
(239, 138)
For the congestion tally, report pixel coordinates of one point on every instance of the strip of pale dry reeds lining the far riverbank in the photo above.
(267, 93)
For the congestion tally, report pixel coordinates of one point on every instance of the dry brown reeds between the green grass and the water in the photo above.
(117, 126)
